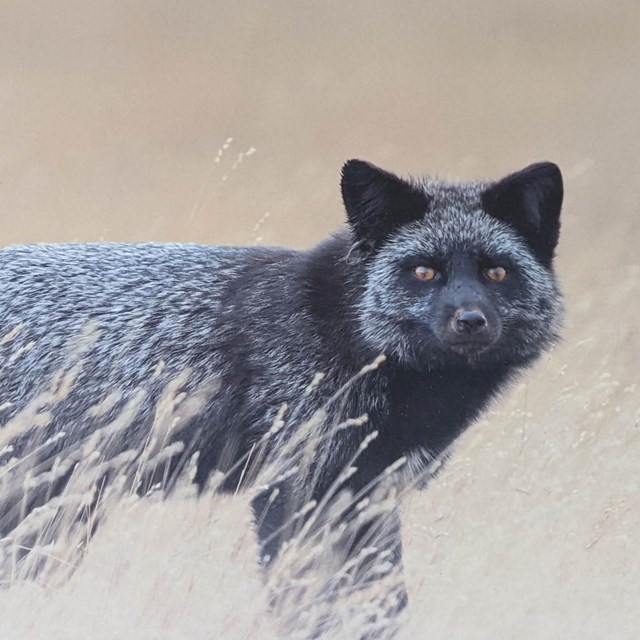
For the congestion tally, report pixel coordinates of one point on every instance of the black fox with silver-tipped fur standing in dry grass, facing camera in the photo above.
(452, 284)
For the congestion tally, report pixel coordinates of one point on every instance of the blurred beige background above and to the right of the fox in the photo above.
(227, 122)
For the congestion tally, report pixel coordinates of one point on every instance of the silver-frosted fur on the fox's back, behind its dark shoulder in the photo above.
(117, 312)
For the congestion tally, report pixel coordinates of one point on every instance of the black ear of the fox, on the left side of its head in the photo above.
(378, 202)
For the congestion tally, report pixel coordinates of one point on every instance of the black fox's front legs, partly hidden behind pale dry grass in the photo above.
(329, 575)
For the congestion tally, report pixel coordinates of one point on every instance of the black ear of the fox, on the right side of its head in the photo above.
(530, 201)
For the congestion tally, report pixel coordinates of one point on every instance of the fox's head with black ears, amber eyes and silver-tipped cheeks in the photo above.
(456, 273)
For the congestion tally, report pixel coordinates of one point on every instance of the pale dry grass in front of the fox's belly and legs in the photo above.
(312, 584)
